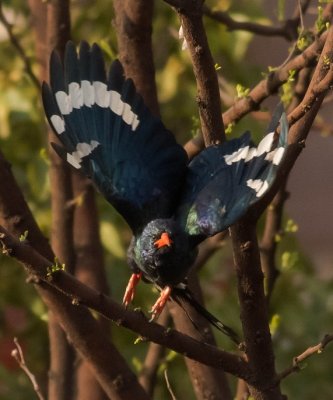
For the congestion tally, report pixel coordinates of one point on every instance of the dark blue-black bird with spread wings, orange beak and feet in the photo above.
(170, 203)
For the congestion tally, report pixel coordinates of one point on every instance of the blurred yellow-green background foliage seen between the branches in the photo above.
(302, 306)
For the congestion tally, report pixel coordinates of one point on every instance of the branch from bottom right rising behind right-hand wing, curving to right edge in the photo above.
(253, 310)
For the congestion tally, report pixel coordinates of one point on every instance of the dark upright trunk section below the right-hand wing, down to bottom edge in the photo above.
(253, 311)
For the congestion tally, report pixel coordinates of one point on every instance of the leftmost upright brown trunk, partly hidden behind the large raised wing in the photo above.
(61, 373)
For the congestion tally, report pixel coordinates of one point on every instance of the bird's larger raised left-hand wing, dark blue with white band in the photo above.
(109, 134)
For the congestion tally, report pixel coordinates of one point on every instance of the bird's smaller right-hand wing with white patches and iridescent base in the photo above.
(224, 180)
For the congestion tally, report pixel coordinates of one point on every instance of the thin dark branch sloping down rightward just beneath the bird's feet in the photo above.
(133, 320)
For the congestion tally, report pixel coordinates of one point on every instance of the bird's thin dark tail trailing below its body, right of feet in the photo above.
(183, 294)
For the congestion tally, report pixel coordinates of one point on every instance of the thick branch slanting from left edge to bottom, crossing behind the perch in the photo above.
(104, 359)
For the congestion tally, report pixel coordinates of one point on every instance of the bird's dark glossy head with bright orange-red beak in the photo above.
(164, 252)
